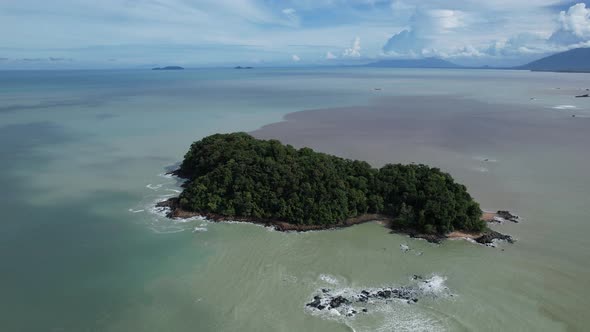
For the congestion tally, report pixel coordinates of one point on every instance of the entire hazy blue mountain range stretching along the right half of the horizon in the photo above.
(576, 60)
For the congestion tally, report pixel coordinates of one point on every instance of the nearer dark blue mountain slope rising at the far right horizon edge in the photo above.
(576, 60)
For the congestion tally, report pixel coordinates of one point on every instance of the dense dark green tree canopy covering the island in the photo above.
(238, 175)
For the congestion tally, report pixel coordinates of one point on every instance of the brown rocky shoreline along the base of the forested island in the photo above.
(487, 237)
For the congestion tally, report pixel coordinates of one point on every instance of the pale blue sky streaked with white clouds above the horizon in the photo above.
(57, 34)
